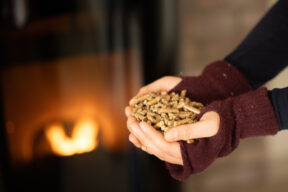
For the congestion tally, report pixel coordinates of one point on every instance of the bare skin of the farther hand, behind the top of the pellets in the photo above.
(163, 84)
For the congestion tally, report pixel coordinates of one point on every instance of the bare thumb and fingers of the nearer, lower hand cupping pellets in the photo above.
(144, 136)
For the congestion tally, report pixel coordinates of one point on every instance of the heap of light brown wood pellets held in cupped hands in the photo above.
(163, 110)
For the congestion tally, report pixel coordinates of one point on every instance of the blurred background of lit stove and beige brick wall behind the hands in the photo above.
(68, 69)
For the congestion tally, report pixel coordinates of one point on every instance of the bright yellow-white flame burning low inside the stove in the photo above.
(83, 138)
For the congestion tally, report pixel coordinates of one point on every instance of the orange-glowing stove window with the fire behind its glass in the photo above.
(60, 107)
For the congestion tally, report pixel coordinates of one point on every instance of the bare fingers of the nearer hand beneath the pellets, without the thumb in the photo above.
(147, 138)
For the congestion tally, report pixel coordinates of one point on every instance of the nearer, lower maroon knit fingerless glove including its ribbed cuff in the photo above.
(246, 115)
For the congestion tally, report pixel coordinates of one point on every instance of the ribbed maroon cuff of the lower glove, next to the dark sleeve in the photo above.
(255, 115)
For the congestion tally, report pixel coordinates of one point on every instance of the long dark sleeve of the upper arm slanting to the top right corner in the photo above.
(263, 53)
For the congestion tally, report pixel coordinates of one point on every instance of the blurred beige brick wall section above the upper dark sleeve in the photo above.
(210, 30)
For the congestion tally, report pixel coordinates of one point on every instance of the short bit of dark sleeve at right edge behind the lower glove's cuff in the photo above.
(279, 100)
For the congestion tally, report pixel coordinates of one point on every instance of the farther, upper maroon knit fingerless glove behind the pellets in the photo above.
(218, 81)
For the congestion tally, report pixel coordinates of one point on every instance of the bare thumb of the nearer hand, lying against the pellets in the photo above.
(208, 126)
